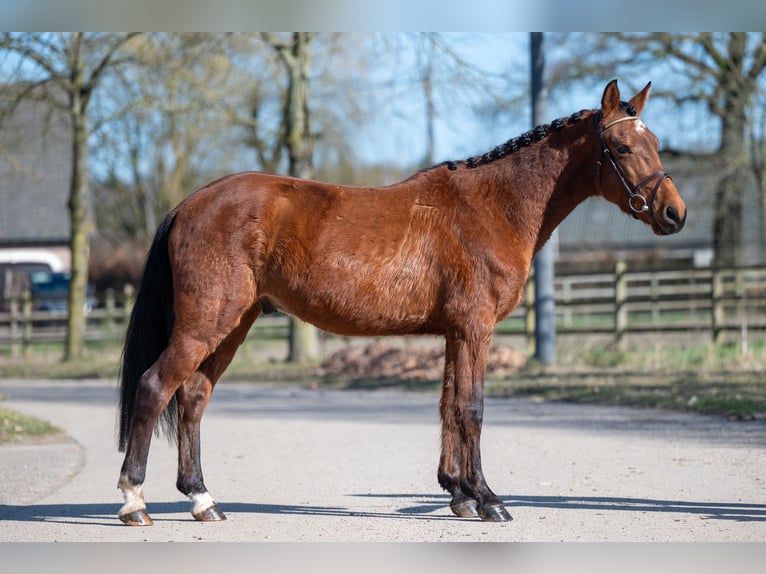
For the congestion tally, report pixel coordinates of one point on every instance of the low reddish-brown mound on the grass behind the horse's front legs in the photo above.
(381, 360)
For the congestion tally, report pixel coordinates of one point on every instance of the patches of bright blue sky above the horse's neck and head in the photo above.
(397, 135)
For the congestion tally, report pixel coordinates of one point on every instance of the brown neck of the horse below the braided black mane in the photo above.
(543, 184)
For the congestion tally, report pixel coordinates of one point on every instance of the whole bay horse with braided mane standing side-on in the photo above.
(445, 252)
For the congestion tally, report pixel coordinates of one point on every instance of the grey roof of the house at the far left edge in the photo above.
(35, 168)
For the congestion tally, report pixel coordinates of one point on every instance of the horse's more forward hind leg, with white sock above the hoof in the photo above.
(193, 396)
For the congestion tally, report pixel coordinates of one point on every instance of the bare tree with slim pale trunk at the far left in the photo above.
(74, 64)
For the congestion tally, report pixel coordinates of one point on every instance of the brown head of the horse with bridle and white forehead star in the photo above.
(630, 171)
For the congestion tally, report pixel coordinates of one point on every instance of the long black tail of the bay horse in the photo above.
(151, 323)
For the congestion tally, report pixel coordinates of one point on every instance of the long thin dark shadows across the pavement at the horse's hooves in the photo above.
(425, 507)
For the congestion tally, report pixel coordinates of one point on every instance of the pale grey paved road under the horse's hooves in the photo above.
(296, 464)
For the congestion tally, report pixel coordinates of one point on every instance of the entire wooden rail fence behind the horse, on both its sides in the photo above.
(710, 303)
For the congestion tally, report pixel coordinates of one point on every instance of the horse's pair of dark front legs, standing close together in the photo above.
(462, 408)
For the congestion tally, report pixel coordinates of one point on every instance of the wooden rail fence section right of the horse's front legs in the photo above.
(707, 302)
